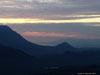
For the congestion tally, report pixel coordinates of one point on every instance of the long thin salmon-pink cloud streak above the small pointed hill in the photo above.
(61, 35)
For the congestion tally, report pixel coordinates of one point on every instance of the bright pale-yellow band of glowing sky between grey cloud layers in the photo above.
(13, 21)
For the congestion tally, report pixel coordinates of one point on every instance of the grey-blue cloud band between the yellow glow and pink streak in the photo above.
(86, 29)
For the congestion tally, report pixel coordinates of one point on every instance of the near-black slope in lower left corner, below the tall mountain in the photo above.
(14, 61)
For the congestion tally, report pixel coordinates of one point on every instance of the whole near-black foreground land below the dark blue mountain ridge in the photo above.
(16, 62)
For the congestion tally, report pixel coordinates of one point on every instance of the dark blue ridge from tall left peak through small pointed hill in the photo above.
(9, 37)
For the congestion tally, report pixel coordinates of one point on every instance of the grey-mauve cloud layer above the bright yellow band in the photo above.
(50, 9)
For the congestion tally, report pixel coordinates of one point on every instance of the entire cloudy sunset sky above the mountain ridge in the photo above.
(49, 22)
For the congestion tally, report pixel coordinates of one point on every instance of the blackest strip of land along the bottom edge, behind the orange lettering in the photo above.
(73, 70)
